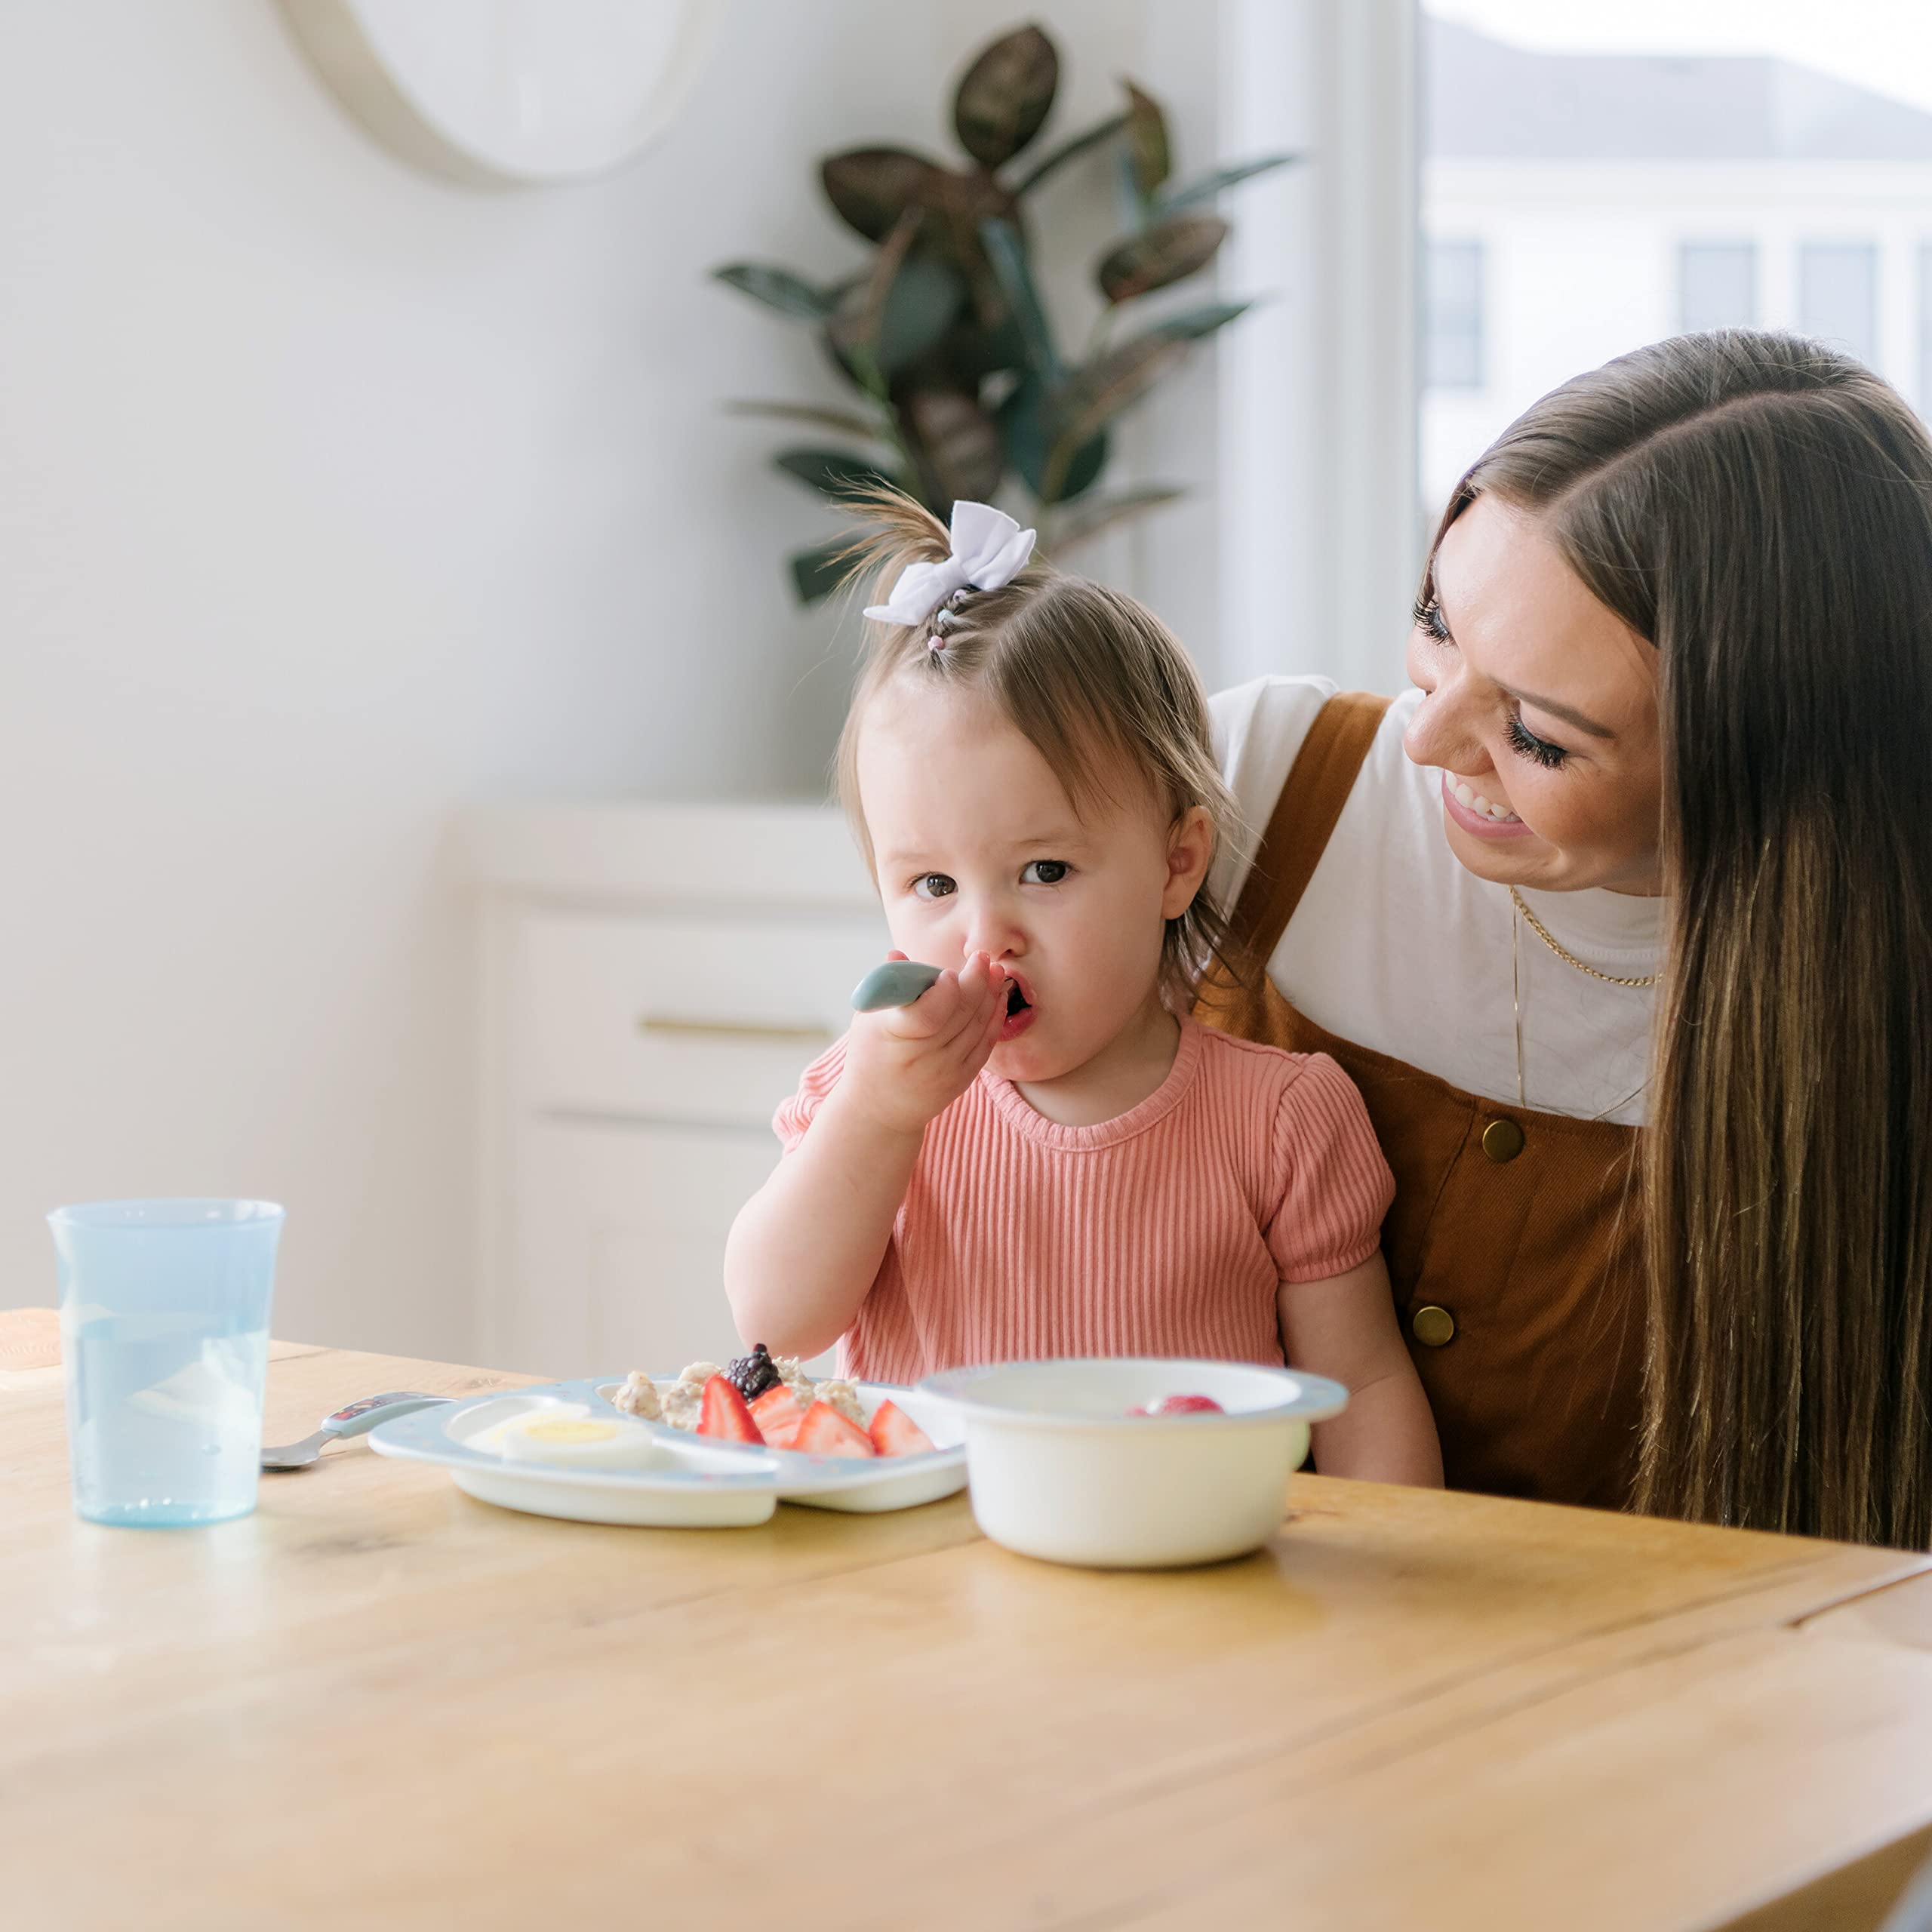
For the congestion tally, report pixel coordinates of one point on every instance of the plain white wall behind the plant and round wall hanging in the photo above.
(333, 497)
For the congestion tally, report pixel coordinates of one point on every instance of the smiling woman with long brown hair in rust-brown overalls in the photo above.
(1624, 926)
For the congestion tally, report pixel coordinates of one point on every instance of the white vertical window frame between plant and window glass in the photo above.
(1319, 401)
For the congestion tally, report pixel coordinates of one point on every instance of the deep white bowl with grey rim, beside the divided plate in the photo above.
(1060, 1467)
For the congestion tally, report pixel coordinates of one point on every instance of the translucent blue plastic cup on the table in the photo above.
(165, 1336)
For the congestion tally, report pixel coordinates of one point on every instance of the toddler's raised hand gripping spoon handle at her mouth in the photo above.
(905, 1065)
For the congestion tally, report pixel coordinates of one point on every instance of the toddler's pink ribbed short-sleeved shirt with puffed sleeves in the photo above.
(1164, 1232)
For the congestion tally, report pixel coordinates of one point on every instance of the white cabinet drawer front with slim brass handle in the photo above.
(679, 1019)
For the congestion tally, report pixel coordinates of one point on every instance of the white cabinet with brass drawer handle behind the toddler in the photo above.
(656, 980)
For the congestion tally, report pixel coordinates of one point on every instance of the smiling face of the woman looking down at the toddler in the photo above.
(1541, 714)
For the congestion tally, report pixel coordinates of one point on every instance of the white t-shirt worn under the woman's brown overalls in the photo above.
(1402, 950)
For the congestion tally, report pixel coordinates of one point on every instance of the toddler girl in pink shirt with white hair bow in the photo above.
(1042, 1154)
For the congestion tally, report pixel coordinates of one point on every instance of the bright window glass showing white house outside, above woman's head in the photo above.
(1618, 192)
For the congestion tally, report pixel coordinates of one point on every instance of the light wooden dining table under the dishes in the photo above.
(378, 1703)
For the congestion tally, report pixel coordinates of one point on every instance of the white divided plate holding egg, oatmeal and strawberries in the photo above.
(696, 1485)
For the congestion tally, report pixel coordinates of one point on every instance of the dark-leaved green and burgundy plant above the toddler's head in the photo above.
(959, 384)
